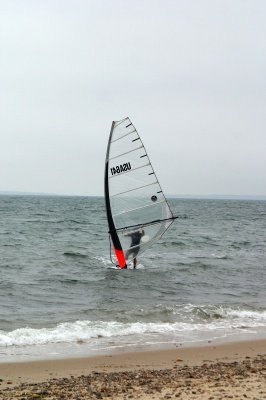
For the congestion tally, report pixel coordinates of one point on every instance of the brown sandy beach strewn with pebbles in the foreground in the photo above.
(224, 371)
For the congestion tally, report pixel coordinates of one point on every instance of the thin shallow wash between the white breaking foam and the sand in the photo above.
(85, 349)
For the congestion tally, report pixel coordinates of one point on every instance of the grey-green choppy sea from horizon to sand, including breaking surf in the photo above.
(203, 282)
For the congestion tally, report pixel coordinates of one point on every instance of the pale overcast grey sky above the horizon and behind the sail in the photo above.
(191, 75)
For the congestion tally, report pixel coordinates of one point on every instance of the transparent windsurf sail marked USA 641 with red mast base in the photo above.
(137, 211)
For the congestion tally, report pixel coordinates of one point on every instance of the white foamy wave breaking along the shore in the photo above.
(212, 321)
